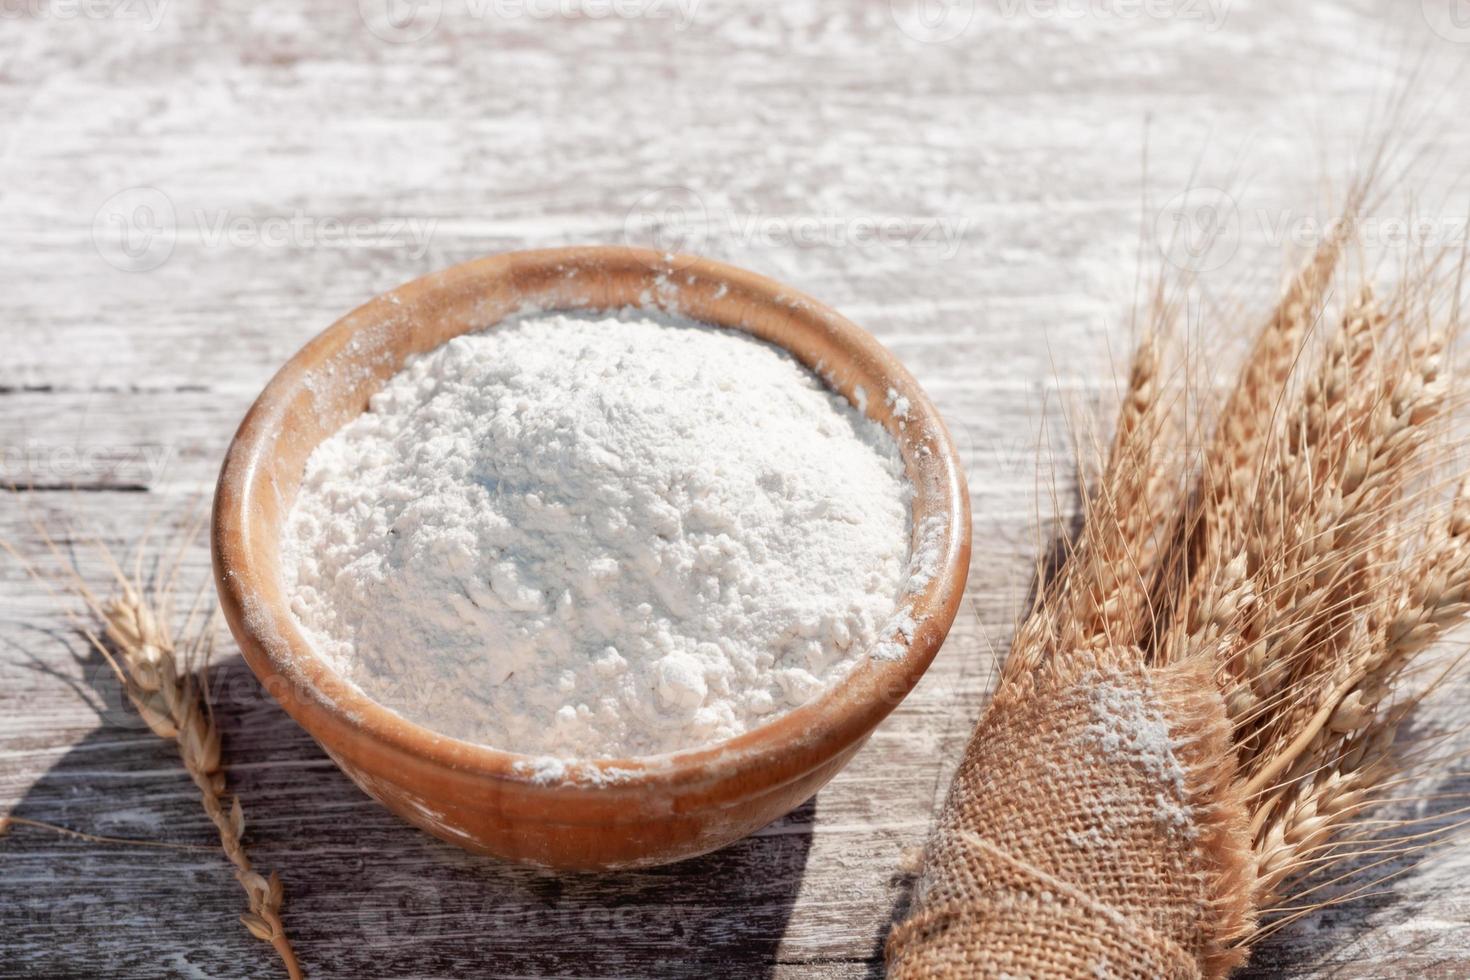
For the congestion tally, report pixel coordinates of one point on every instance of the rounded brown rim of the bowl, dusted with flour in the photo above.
(771, 754)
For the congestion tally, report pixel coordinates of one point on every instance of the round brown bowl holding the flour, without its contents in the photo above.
(605, 813)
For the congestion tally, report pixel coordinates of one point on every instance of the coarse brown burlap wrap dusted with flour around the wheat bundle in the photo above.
(1090, 832)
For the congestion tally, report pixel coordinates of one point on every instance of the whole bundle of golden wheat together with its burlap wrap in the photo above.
(1274, 588)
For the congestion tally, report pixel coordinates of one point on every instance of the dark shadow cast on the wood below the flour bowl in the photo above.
(365, 894)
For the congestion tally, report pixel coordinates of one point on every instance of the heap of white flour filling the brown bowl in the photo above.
(603, 537)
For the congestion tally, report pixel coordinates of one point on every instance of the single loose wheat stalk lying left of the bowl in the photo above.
(159, 675)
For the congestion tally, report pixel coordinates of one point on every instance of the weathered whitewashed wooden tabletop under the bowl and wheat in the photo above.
(967, 181)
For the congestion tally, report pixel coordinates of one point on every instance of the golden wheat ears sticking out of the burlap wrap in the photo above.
(1312, 563)
